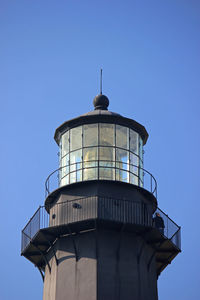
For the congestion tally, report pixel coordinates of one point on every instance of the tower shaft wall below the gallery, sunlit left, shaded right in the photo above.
(111, 265)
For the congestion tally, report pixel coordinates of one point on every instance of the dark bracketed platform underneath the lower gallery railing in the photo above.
(38, 247)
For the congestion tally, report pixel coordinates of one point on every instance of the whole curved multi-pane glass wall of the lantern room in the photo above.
(101, 151)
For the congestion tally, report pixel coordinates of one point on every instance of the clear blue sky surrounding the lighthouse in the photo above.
(50, 56)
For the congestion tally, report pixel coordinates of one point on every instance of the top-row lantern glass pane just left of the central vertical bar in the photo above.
(90, 135)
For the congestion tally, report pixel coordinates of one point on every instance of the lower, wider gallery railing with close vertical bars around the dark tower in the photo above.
(116, 210)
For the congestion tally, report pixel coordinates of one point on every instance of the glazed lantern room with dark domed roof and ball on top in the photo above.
(101, 145)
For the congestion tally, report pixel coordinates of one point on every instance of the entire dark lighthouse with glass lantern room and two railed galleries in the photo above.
(100, 234)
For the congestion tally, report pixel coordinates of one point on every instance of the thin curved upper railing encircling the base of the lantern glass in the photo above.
(111, 170)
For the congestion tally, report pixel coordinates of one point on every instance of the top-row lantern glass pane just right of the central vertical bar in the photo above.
(106, 134)
